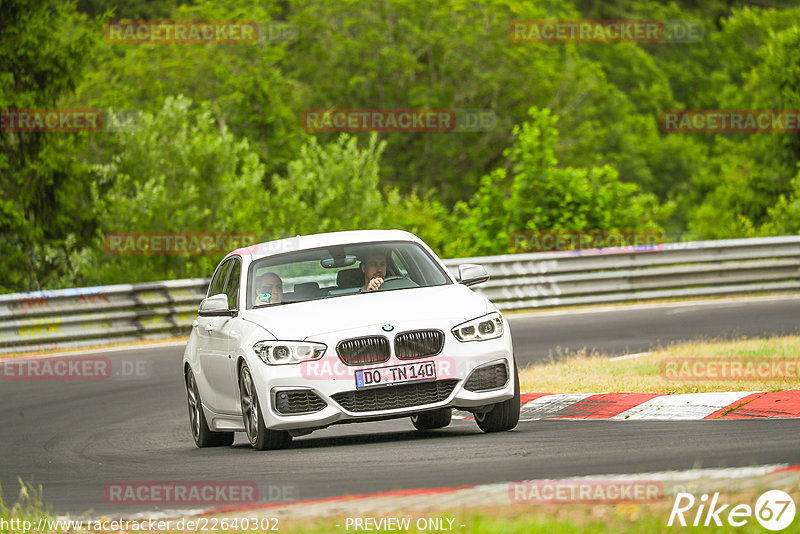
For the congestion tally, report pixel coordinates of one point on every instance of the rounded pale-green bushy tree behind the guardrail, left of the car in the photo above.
(176, 170)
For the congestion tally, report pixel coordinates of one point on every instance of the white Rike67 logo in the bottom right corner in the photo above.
(774, 510)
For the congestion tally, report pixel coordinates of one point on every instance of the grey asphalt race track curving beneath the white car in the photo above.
(74, 437)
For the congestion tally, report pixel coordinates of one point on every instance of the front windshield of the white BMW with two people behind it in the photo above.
(341, 270)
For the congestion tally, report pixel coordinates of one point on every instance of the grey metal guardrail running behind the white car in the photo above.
(65, 318)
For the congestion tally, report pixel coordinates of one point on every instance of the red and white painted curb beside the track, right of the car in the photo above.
(656, 406)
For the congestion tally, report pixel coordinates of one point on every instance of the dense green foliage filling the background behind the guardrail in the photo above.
(208, 137)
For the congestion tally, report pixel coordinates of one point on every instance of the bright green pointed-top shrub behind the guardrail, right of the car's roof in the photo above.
(538, 195)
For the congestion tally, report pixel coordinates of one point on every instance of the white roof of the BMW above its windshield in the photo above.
(305, 242)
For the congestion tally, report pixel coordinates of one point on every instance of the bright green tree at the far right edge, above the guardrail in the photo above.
(748, 180)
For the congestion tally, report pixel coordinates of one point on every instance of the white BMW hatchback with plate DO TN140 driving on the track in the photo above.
(302, 333)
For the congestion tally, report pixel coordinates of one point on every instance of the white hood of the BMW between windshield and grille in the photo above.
(450, 304)
